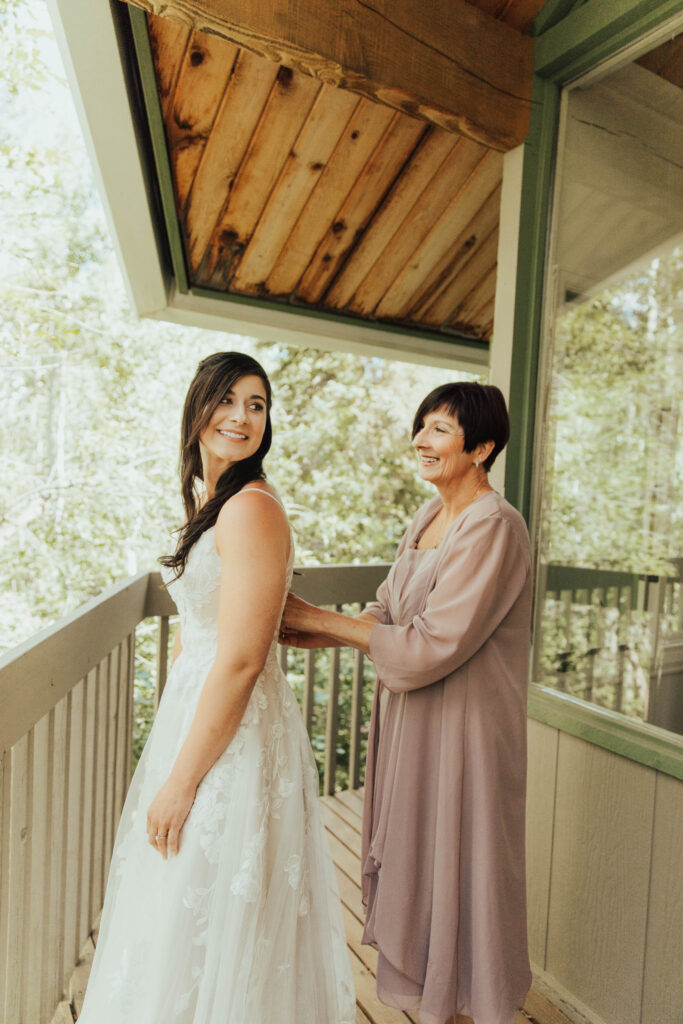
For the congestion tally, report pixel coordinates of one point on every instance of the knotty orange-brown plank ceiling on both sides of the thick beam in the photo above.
(296, 192)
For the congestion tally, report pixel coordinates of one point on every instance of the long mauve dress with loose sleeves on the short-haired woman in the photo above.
(444, 826)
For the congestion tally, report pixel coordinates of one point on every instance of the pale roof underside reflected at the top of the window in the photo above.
(623, 176)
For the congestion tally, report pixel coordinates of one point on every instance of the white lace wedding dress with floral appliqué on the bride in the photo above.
(244, 926)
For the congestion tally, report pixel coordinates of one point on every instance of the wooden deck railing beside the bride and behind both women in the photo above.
(66, 741)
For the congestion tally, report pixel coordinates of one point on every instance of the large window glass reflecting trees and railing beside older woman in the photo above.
(610, 615)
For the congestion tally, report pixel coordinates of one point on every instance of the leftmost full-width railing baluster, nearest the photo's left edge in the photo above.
(18, 893)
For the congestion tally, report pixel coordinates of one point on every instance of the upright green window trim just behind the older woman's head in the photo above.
(536, 202)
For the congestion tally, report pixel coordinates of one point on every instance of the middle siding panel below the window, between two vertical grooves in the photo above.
(601, 876)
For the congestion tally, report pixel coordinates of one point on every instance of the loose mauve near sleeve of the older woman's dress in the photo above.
(481, 579)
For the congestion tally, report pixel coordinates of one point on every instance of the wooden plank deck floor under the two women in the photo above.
(341, 816)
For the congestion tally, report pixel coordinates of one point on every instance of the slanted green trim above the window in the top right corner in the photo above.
(595, 32)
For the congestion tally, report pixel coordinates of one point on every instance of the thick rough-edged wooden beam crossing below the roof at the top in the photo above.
(459, 68)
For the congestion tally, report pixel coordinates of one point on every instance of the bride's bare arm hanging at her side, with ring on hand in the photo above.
(252, 539)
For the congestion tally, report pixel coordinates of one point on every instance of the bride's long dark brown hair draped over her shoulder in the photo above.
(215, 378)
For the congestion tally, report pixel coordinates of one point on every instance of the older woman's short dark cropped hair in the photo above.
(481, 411)
